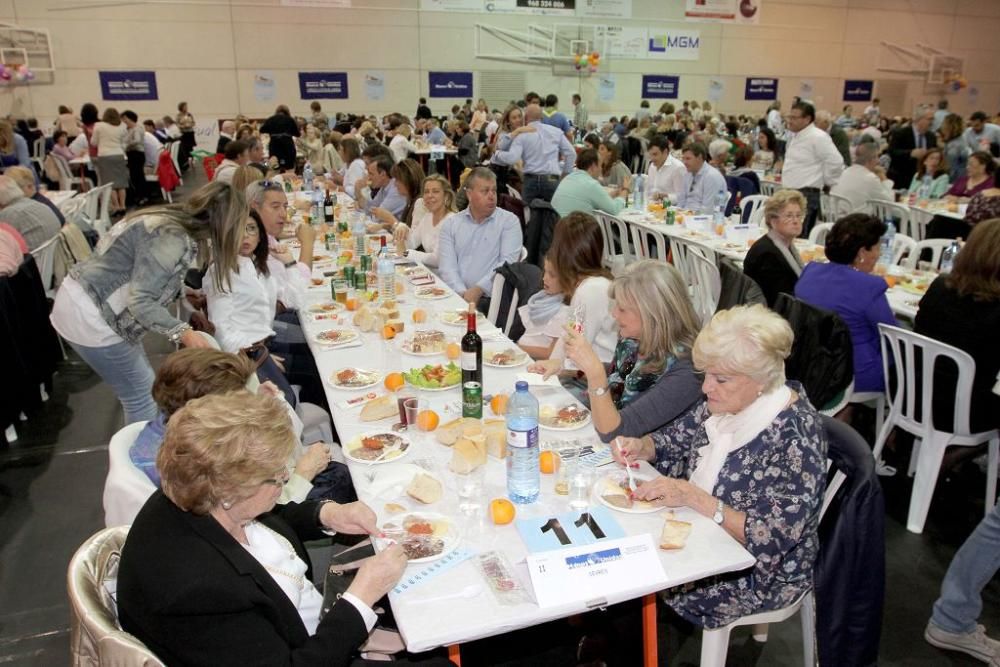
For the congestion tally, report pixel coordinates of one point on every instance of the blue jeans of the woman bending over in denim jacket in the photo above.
(125, 367)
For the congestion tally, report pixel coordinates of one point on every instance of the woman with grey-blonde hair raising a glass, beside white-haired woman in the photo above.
(651, 379)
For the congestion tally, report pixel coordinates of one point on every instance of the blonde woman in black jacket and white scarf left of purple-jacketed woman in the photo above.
(773, 261)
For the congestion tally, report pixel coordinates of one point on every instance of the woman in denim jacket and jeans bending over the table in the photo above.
(107, 304)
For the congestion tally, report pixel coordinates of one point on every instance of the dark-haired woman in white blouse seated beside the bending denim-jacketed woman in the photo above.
(244, 314)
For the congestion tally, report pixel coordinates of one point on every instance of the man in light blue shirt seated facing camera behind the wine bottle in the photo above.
(474, 242)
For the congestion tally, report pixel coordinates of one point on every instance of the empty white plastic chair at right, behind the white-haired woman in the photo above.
(901, 347)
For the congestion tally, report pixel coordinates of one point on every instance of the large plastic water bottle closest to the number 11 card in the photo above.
(522, 446)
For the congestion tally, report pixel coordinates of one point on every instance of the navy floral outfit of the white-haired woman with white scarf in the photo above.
(777, 479)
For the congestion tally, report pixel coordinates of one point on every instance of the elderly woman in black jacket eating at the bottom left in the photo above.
(212, 573)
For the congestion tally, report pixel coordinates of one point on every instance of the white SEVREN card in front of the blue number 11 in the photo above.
(593, 573)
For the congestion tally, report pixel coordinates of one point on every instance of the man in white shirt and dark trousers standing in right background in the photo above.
(812, 162)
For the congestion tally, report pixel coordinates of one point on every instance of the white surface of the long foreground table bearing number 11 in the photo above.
(447, 623)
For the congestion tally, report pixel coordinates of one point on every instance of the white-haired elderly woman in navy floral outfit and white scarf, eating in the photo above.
(751, 456)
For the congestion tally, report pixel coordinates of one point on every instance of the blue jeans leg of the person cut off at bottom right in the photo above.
(975, 563)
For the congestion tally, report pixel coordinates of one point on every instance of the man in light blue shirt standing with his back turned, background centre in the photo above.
(540, 147)
